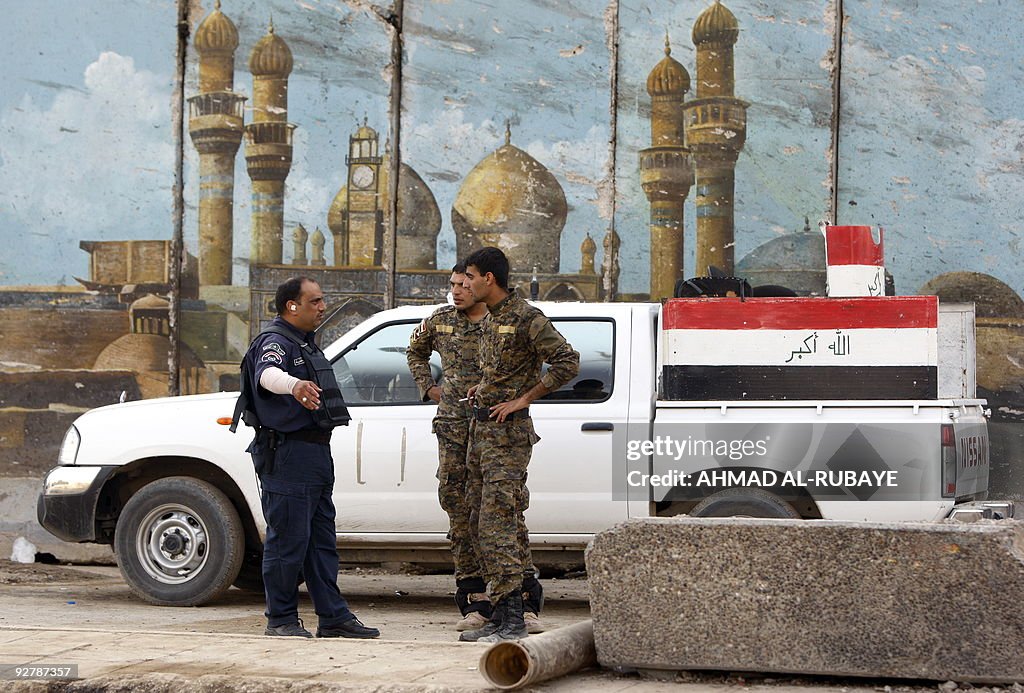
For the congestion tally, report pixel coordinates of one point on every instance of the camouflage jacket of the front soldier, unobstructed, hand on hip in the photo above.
(518, 340)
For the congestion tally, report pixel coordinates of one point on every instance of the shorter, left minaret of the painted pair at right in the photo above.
(667, 172)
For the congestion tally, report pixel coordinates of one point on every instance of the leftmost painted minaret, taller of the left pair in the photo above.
(216, 123)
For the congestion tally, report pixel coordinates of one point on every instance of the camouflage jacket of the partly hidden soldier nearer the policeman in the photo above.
(456, 339)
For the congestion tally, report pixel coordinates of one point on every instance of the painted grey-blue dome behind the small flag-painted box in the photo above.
(793, 261)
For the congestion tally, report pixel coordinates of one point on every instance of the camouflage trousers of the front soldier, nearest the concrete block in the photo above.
(497, 495)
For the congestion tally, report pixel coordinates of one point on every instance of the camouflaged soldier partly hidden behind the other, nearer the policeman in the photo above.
(454, 332)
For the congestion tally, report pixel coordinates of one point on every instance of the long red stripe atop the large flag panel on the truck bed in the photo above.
(801, 314)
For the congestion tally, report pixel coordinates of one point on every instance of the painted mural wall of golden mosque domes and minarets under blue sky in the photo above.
(611, 147)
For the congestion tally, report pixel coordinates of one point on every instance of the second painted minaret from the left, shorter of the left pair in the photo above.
(269, 146)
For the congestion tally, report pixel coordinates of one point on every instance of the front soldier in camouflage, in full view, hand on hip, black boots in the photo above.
(518, 340)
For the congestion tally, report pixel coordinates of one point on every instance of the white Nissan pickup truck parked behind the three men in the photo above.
(175, 492)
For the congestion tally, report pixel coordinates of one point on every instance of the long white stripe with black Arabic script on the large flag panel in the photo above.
(889, 346)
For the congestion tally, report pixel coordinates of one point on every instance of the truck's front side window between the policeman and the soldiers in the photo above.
(374, 371)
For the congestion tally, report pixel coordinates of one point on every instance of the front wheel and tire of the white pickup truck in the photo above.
(180, 543)
